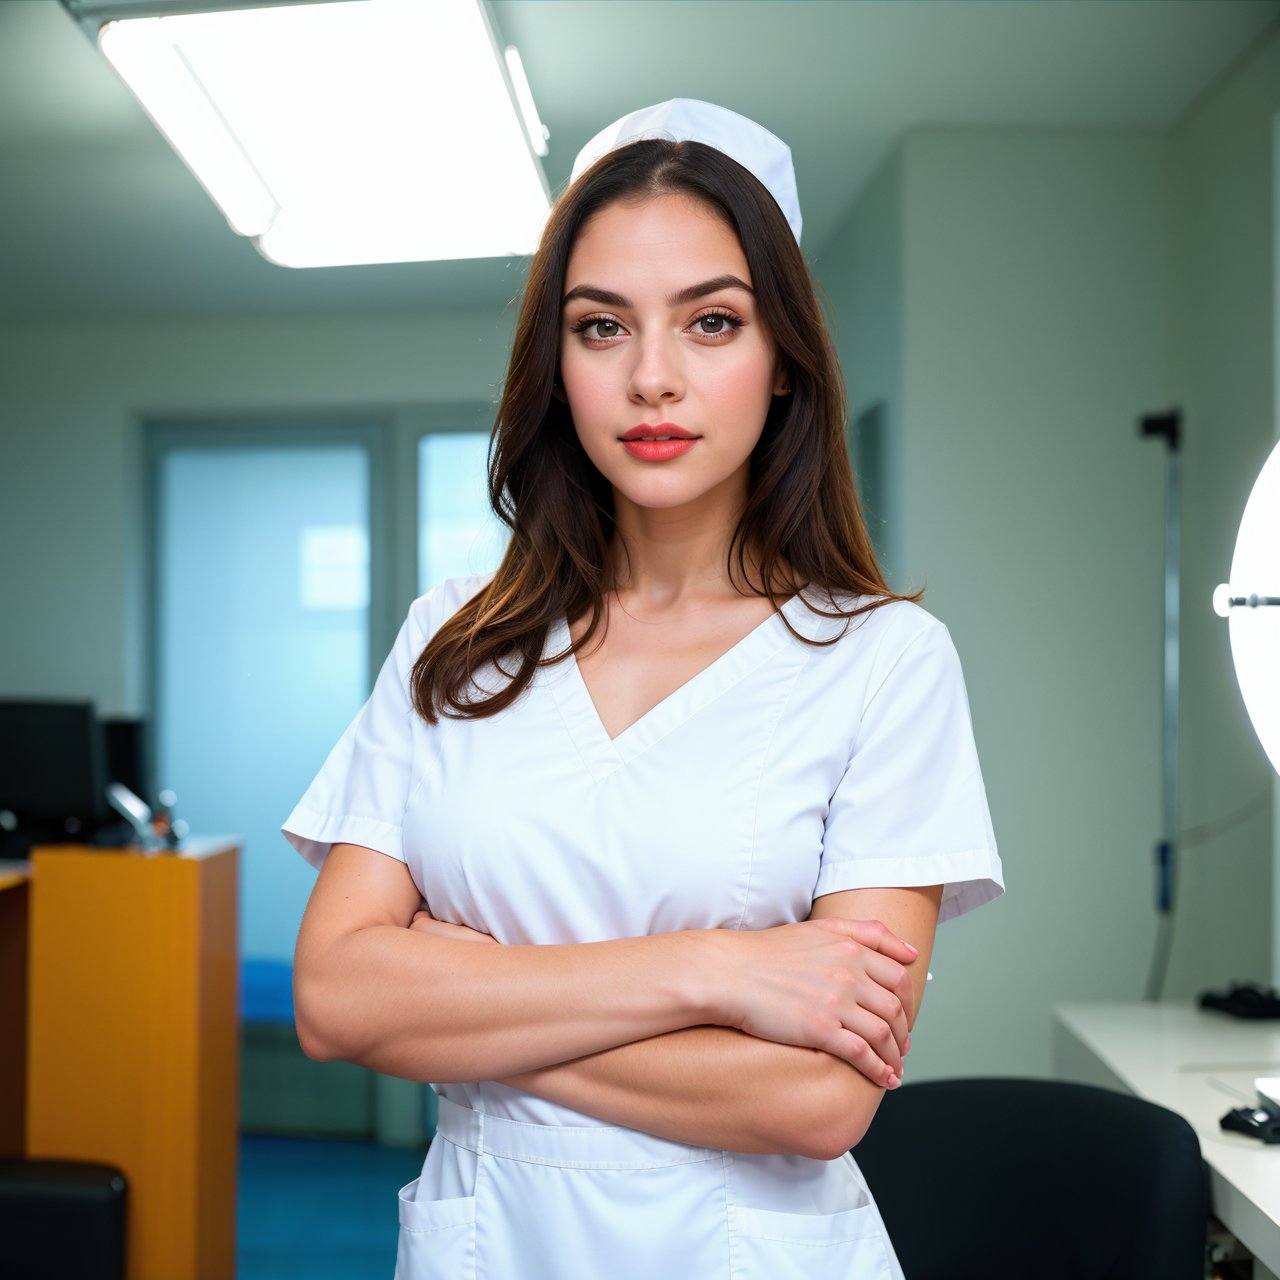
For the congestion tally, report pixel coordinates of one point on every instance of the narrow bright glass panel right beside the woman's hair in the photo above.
(458, 532)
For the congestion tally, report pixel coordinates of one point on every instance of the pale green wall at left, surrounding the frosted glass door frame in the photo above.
(72, 461)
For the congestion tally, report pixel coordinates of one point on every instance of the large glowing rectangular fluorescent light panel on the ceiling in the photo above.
(337, 134)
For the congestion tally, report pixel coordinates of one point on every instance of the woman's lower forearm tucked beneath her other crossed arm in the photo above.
(721, 1089)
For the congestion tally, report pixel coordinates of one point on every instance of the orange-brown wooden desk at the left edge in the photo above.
(132, 1054)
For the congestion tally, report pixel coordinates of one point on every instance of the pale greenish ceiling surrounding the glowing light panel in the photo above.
(100, 220)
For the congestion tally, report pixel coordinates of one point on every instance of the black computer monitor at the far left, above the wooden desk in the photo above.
(53, 766)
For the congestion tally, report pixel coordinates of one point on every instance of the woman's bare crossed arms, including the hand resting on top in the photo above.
(697, 1036)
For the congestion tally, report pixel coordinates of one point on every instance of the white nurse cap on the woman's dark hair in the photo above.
(685, 120)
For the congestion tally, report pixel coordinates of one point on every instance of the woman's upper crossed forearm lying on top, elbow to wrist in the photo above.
(431, 1009)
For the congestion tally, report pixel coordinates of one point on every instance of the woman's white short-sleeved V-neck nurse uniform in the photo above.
(779, 774)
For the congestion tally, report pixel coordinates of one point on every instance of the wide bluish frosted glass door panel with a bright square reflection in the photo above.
(263, 602)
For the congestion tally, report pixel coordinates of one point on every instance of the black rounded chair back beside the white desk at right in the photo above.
(1020, 1180)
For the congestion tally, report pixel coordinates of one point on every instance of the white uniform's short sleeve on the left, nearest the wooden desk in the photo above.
(362, 792)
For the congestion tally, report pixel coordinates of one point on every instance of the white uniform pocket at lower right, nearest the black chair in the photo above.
(774, 1246)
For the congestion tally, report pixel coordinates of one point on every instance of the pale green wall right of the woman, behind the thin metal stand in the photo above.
(1053, 287)
